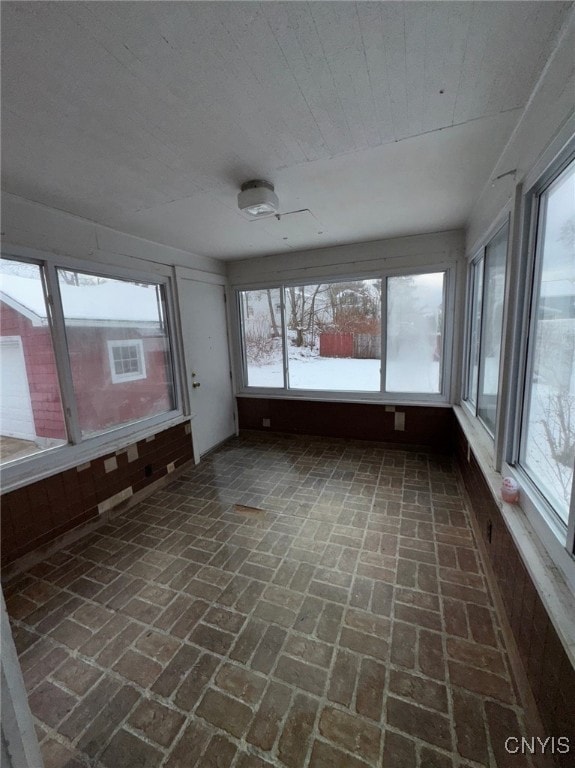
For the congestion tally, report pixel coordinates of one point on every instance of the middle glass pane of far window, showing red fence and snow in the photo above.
(334, 336)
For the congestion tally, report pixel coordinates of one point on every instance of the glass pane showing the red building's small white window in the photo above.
(119, 350)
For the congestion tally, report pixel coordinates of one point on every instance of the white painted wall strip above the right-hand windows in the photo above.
(548, 121)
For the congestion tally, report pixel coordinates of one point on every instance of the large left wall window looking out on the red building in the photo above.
(81, 354)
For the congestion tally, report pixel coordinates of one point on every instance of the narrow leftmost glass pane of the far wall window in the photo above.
(262, 337)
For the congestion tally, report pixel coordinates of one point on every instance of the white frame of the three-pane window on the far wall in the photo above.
(441, 398)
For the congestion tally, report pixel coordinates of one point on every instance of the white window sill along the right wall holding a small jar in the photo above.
(553, 586)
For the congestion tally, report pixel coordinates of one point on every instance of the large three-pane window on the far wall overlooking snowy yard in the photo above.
(330, 336)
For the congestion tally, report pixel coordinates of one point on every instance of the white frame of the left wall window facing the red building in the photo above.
(20, 472)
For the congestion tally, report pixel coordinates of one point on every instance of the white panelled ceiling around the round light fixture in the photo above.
(381, 118)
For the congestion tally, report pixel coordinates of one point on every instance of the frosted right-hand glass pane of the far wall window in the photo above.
(414, 333)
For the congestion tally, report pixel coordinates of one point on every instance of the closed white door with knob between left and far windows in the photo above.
(205, 337)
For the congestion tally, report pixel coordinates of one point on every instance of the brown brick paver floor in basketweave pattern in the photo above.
(288, 602)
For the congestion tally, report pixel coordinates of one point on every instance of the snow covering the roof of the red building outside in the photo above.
(111, 301)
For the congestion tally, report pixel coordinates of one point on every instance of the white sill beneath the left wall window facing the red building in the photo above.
(30, 469)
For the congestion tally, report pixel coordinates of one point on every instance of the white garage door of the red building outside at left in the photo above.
(16, 417)
